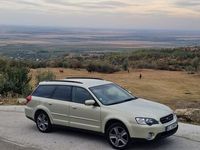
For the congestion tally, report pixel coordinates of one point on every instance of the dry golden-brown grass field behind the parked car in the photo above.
(176, 89)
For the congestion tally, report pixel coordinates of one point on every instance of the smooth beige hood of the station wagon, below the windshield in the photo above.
(143, 108)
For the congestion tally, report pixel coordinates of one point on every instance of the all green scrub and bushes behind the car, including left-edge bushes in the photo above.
(15, 74)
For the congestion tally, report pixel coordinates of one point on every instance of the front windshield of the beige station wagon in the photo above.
(109, 94)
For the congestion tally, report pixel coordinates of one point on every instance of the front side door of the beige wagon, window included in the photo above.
(82, 116)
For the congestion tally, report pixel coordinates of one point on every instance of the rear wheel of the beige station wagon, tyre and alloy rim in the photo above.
(43, 122)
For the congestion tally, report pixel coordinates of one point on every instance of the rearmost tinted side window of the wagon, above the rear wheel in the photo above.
(44, 91)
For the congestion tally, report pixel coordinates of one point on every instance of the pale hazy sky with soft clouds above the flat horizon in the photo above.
(148, 14)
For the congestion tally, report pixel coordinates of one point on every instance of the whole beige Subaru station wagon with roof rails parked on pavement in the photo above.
(101, 106)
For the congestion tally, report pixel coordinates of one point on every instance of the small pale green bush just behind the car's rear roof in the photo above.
(45, 76)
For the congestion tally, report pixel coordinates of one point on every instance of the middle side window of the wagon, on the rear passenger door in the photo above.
(62, 93)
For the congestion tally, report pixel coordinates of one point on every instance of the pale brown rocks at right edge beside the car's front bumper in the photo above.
(191, 114)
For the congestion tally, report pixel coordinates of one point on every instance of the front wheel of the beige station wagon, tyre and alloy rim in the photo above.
(118, 136)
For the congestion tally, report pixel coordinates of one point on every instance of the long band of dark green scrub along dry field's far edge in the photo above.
(178, 59)
